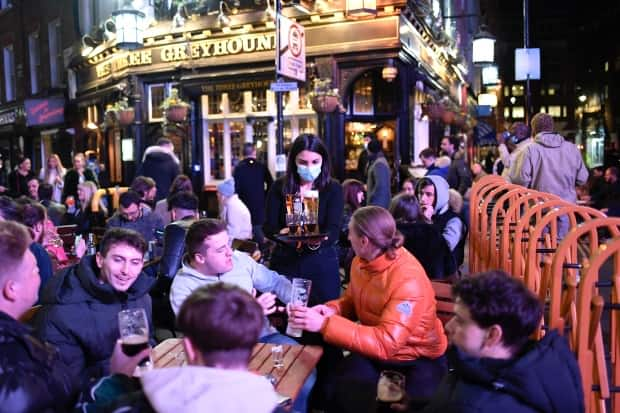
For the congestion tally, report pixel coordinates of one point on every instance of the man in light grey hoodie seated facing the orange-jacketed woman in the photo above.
(210, 259)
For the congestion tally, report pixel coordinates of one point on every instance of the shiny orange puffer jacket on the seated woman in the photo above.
(395, 303)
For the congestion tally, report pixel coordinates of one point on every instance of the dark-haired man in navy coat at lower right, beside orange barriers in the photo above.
(494, 365)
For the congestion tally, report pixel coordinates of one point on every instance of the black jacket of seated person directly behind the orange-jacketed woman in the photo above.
(425, 242)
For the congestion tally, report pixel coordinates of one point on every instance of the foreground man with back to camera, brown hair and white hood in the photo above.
(221, 324)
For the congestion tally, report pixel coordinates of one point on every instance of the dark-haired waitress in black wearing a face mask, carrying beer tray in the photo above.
(308, 168)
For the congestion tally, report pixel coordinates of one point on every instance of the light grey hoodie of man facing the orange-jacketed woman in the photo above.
(246, 274)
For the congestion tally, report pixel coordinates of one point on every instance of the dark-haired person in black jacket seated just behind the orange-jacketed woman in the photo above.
(423, 240)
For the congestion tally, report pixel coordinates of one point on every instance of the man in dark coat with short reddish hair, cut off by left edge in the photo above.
(33, 378)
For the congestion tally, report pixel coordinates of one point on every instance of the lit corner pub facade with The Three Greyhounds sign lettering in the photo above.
(384, 67)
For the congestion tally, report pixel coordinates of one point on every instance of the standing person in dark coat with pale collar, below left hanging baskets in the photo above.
(160, 163)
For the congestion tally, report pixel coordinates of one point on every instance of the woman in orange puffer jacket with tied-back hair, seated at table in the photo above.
(394, 302)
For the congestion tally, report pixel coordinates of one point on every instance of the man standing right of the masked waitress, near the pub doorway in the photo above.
(379, 176)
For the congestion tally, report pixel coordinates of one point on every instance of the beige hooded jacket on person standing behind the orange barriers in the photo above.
(551, 164)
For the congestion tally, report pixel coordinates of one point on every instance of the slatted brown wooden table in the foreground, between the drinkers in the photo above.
(299, 361)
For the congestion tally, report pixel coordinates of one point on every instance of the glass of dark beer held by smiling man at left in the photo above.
(134, 332)
